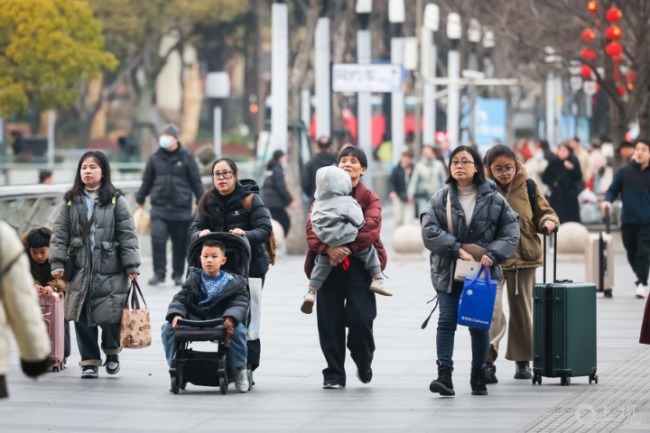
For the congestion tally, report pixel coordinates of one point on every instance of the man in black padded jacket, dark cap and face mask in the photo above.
(171, 177)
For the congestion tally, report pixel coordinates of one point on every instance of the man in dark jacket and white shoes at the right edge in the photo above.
(632, 183)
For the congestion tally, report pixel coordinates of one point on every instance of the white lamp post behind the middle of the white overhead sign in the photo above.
(364, 107)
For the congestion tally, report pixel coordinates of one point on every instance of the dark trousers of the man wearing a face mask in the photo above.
(161, 230)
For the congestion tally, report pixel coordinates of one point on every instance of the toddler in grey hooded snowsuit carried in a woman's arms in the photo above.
(336, 218)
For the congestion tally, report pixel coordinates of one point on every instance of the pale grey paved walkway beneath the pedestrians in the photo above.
(288, 395)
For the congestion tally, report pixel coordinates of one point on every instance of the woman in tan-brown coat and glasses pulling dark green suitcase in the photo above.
(535, 216)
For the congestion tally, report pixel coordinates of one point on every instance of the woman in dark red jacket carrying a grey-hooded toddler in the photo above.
(344, 298)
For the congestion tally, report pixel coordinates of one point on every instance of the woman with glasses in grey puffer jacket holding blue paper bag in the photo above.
(482, 220)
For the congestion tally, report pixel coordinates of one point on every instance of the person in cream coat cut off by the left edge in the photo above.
(19, 309)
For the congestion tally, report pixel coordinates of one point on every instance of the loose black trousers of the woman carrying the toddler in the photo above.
(346, 301)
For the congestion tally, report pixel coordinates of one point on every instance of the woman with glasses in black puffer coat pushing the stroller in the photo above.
(221, 209)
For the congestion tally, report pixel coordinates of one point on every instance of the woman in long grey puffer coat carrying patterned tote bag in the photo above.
(95, 228)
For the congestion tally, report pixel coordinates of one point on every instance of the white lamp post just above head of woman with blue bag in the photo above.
(453, 66)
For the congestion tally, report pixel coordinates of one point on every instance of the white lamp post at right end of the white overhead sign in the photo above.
(396, 17)
